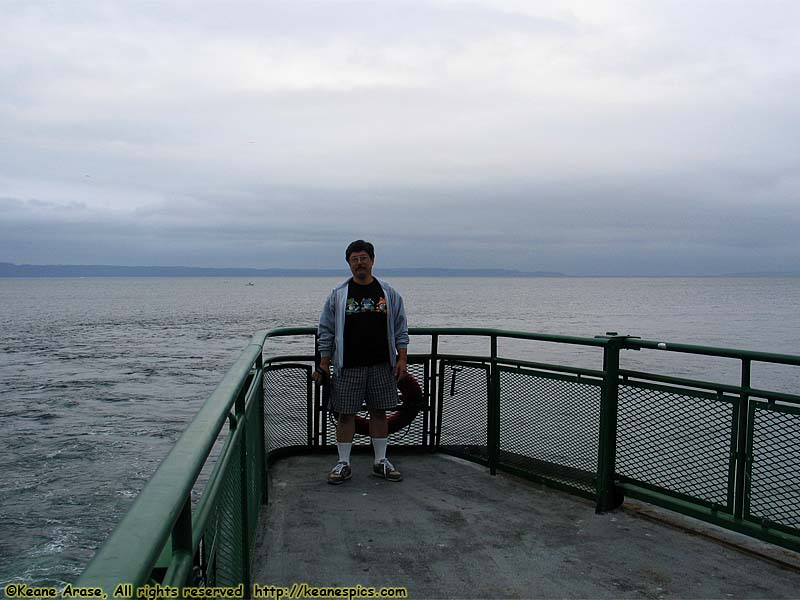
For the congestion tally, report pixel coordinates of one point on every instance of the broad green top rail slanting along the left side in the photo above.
(130, 552)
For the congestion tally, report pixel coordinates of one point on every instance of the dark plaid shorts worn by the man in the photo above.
(355, 386)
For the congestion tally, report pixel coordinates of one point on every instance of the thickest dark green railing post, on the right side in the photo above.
(608, 497)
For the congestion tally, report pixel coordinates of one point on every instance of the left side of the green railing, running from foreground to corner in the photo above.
(163, 539)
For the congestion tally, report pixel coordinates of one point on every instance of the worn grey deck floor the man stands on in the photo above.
(451, 530)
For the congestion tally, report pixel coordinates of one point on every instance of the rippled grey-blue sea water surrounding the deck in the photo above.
(98, 377)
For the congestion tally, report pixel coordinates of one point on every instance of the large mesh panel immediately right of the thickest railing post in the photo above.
(677, 440)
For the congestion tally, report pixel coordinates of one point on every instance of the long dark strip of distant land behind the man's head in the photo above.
(12, 270)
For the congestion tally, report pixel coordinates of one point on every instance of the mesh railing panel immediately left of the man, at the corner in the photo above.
(287, 411)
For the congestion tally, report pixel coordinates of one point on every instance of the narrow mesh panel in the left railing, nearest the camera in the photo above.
(223, 547)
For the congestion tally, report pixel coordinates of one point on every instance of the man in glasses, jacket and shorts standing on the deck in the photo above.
(364, 332)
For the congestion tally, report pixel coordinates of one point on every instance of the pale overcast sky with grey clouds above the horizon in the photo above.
(604, 137)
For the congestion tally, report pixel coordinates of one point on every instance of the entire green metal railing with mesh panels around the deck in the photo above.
(725, 453)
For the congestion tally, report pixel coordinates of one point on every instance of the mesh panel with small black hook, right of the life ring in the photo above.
(463, 413)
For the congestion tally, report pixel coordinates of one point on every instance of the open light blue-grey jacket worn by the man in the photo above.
(331, 324)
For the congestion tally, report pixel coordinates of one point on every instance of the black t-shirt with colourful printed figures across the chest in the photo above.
(365, 341)
